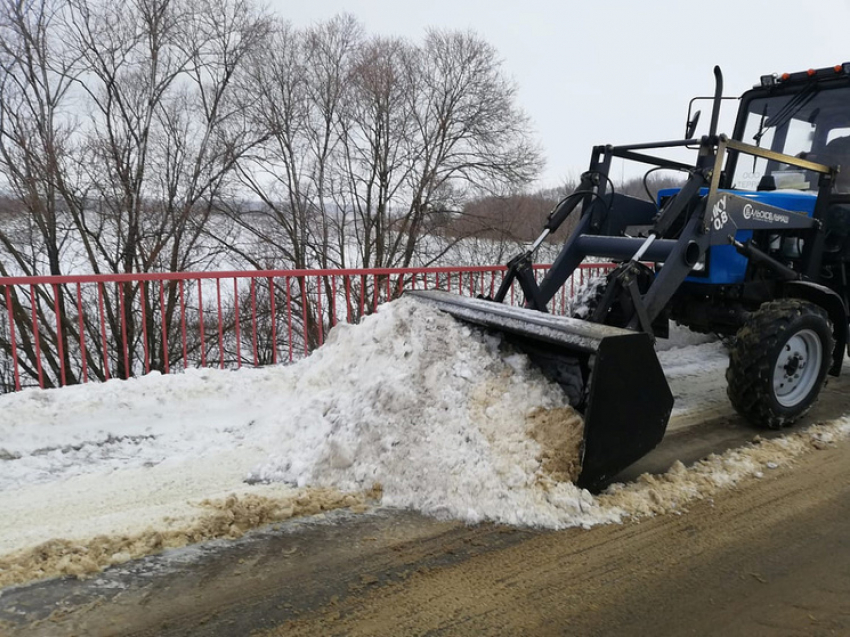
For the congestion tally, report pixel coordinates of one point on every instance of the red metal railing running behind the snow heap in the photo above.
(61, 330)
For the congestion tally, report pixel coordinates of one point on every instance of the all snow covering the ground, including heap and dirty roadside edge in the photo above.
(408, 409)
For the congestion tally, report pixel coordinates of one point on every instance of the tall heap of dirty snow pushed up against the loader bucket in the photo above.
(439, 417)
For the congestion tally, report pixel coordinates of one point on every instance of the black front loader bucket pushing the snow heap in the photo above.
(611, 376)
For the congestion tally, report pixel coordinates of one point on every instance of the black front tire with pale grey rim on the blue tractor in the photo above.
(778, 363)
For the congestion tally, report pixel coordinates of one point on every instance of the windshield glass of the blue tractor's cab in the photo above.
(812, 124)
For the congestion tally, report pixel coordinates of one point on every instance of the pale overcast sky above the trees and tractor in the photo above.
(615, 71)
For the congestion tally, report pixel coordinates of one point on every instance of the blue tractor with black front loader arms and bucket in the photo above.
(754, 246)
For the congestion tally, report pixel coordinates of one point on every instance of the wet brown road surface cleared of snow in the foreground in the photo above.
(771, 557)
